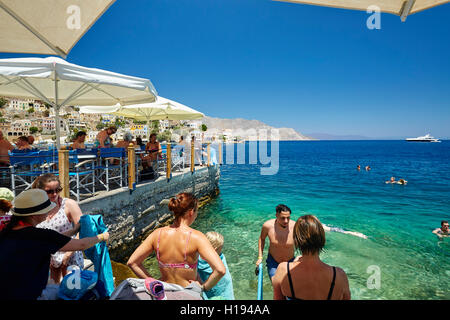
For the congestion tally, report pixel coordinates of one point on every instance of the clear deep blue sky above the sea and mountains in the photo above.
(314, 69)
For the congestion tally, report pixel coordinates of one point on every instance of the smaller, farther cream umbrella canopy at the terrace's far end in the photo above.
(161, 109)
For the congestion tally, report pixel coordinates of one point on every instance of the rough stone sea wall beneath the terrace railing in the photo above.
(130, 217)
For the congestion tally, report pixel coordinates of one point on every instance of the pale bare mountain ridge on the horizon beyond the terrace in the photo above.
(243, 125)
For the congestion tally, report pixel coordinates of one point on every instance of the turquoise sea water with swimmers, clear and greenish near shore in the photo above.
(320, 178)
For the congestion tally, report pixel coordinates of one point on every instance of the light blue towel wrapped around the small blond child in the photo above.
(224, 288)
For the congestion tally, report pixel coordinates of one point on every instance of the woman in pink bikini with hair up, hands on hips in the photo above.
(177, 248)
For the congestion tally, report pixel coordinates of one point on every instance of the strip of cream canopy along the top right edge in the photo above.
(398, 7)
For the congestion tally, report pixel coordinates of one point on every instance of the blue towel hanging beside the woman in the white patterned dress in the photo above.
(92, 225)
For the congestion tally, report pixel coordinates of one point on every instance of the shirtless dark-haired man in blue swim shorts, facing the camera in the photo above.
(279, 231)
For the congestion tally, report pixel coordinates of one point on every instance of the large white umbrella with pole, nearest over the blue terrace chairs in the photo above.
(60, 83)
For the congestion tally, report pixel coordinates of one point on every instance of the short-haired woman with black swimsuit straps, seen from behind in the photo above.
(307, 277)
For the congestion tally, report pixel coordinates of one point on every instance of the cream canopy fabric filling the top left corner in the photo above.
(47, 26)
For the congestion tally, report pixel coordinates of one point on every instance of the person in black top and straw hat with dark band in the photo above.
(26, 250)
